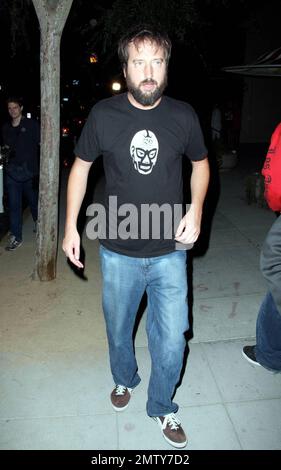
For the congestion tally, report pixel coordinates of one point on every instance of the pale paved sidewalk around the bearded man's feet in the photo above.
(56, 380)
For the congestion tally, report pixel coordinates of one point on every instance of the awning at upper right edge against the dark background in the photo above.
(267, 65)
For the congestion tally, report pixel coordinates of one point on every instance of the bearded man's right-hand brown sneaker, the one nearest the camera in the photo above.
(172, 430)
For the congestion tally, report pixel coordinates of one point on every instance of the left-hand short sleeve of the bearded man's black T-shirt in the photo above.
(88, 147)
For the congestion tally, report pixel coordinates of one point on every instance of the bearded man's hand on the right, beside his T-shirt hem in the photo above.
(189, 228)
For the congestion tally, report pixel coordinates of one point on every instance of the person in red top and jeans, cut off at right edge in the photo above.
(267, 350)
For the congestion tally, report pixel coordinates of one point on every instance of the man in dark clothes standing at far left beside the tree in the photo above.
(21, 136)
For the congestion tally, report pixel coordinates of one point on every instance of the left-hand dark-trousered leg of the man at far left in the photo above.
(14, 189)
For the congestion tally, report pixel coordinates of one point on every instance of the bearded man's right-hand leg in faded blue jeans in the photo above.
(167, 321)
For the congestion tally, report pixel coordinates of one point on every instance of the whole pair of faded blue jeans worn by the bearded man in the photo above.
(125, 279)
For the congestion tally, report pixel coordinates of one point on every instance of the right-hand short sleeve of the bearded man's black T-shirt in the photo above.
(195, 148)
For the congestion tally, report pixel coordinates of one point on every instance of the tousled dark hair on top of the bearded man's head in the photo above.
(140, 34)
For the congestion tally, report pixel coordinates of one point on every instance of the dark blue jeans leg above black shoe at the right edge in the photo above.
(268, 332)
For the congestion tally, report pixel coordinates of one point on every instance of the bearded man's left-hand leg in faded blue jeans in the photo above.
(123, 288)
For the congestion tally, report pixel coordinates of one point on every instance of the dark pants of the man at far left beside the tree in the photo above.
(16, 191)
